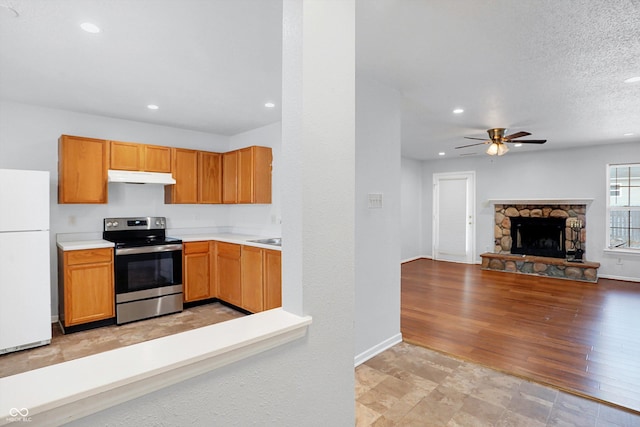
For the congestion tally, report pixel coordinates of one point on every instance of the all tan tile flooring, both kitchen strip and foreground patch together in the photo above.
(406, 385)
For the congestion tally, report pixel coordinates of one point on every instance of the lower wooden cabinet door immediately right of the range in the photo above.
(196, 271)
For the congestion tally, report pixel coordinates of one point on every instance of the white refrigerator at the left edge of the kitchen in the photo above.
(25, 274)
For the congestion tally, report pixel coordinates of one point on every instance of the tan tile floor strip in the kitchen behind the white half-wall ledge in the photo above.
(80, 344)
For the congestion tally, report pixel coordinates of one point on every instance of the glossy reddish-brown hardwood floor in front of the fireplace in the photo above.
(580, 337)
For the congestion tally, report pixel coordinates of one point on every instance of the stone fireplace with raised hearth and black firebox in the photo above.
(535, 237)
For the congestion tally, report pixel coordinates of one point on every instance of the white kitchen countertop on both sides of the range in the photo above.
(240, 239)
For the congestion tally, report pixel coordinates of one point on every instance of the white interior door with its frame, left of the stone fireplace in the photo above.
(454, 217)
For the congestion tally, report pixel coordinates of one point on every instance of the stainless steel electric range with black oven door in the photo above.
(148, 268)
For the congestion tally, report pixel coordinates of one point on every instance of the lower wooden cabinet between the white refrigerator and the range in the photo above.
(87, 287)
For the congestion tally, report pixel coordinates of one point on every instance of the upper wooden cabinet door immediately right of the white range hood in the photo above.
(185, 171)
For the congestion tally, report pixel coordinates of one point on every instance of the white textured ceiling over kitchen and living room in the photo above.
(554, 68)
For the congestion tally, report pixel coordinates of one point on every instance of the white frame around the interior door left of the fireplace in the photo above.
(470, 237)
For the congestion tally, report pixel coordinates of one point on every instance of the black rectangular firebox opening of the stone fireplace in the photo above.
(538, 236)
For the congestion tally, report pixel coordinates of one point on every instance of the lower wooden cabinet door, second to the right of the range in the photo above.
(228, 272)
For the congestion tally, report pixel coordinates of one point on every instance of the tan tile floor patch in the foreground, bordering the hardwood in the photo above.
(409, 385)
